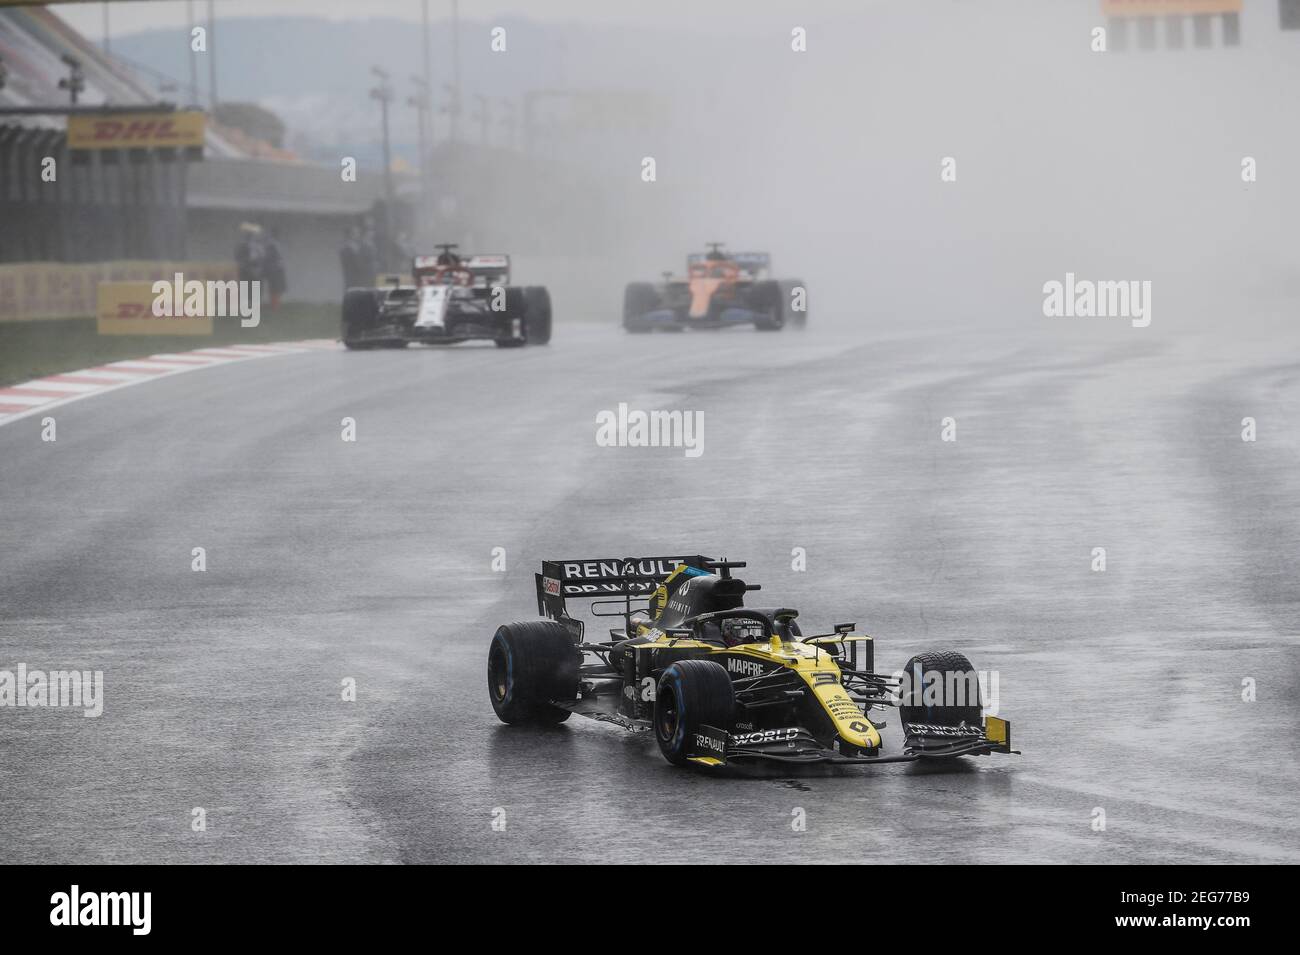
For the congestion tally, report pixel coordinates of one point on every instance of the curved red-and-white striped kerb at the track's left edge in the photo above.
(53, 392)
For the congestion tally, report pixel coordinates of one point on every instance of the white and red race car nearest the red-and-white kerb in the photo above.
(452, 299)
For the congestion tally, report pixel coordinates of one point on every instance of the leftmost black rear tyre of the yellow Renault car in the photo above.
(531, 666)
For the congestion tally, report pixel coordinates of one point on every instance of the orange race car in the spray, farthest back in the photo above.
(721, 290)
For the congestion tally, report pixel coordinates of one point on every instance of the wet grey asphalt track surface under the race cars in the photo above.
(372, 561)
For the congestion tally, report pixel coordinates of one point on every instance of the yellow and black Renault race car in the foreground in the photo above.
(722, 684)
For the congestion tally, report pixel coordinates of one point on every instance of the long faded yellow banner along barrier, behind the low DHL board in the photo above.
(67, 290)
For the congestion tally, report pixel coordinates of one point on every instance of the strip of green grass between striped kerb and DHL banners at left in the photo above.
(36, 349)
